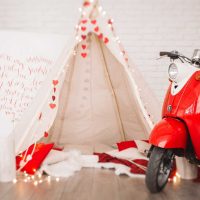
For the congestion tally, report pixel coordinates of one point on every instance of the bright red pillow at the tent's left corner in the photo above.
(40, 153)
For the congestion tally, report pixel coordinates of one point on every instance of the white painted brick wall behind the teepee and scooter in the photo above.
(144, 26)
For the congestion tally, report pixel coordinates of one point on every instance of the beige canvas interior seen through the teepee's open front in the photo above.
(96, 102)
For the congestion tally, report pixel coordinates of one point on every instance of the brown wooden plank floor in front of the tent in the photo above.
(97, 184)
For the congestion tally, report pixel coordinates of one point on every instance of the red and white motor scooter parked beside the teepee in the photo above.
(178, 132)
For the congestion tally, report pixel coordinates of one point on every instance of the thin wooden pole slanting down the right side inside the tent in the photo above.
(108, 78)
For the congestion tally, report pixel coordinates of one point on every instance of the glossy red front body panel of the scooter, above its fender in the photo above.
(185, 105)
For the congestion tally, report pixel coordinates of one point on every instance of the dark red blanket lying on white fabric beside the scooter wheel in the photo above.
(104, 158)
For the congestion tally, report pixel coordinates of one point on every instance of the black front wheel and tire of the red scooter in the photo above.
(159, 168)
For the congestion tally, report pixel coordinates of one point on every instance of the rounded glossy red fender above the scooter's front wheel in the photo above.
(169, 133)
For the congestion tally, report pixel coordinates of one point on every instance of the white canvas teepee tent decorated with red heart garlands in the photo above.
(93, 93)
